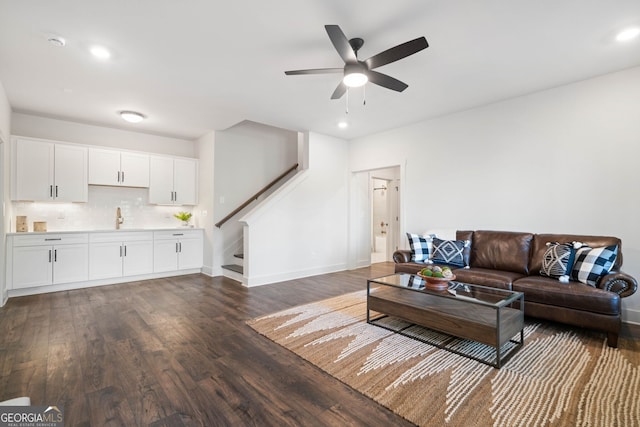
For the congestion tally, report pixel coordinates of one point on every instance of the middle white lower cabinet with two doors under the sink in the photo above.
(120, 254)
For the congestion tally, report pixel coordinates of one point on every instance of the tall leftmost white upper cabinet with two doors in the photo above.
(48, 171)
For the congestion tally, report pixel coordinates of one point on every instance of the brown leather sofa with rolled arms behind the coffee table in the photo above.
(512, 260)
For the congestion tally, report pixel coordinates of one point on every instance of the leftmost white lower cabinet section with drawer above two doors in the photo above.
(40, 260)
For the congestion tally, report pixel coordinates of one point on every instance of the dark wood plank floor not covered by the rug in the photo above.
(173, 352)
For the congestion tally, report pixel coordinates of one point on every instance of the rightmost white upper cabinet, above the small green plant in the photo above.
(173, 181)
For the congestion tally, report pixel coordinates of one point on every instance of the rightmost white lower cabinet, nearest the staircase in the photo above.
(177, 250)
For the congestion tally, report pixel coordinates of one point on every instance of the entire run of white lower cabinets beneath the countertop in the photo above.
(35, 260)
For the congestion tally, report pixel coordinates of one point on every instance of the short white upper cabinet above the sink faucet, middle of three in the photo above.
(109, 167)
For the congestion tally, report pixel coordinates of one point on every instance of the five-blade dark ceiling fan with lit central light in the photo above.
(357, 73)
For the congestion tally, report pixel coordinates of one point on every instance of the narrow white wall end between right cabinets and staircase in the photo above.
(205, 151)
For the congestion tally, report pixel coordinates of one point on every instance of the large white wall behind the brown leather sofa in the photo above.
(564, 160)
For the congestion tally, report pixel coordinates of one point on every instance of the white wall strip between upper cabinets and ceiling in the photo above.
(79, 133)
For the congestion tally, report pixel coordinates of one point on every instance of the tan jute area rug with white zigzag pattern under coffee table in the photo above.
(561, 377)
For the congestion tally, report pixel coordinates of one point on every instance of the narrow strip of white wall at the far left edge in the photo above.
(5, 131)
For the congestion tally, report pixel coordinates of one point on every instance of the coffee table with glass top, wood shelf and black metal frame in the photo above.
(490, 316)
